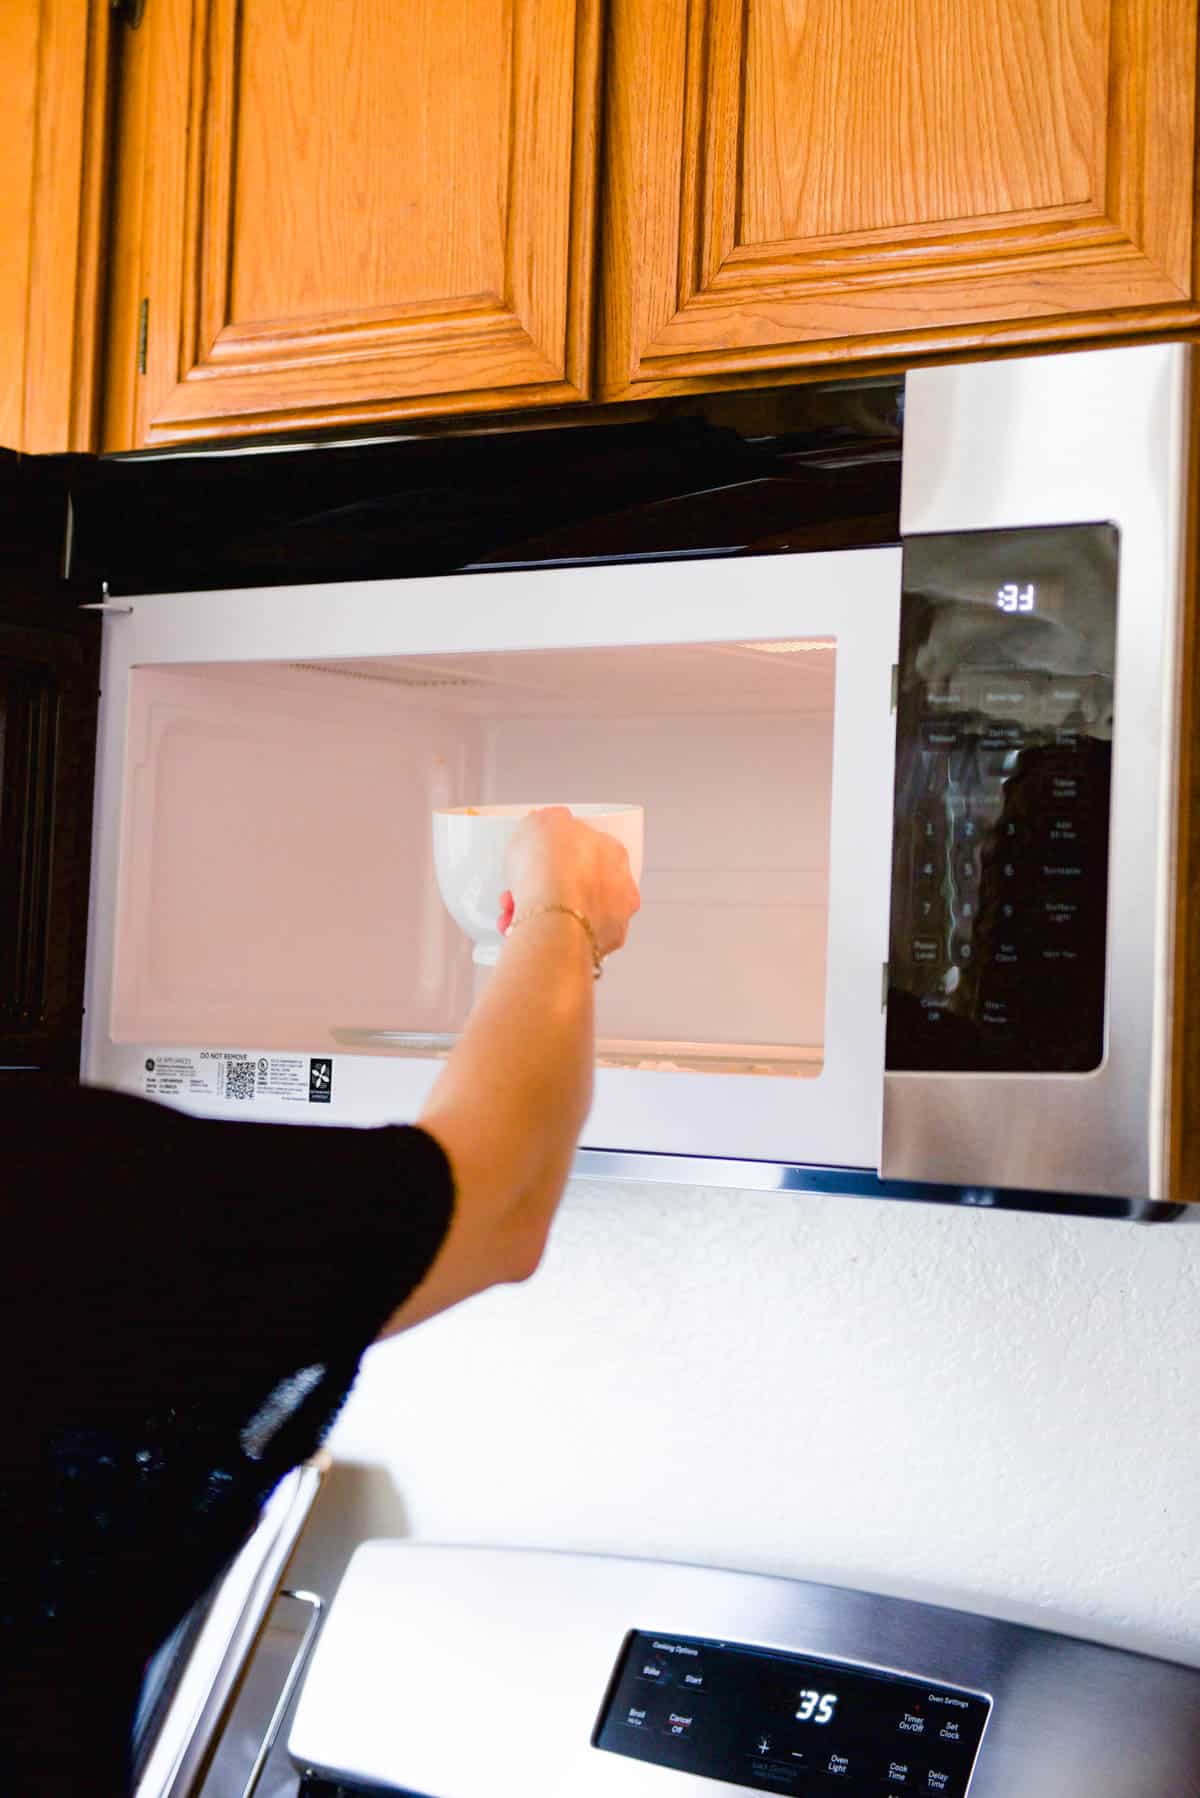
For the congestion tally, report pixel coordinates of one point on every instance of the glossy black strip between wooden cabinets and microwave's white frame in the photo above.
(760, 474)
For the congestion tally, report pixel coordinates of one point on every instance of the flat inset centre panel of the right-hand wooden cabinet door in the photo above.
(969, 112)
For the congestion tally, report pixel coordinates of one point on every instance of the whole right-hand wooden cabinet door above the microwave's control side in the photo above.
(823, 181)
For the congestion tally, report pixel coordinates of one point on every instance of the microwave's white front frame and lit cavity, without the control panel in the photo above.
(267, 932)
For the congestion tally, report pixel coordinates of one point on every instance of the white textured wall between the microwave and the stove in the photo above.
(985, 1409)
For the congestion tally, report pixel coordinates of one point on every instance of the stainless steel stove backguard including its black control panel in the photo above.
(458, 1673)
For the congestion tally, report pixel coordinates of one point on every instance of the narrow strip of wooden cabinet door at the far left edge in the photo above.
(53, 141)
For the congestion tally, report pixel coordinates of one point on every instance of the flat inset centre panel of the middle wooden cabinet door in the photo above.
(370, 166)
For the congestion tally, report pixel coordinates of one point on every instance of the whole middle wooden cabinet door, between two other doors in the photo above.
(339, 213)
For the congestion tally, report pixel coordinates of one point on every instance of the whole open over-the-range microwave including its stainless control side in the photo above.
(918, 823)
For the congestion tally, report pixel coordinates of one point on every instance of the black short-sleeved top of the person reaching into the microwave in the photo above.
(183, 1310)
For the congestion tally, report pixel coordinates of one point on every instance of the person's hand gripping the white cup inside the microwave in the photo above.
(555, 859)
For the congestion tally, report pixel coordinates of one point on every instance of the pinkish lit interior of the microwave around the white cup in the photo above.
(278, 866)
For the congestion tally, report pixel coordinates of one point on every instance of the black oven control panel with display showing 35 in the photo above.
(785, 1723)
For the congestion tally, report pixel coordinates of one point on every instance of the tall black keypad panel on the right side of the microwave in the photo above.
(1003, 788)
